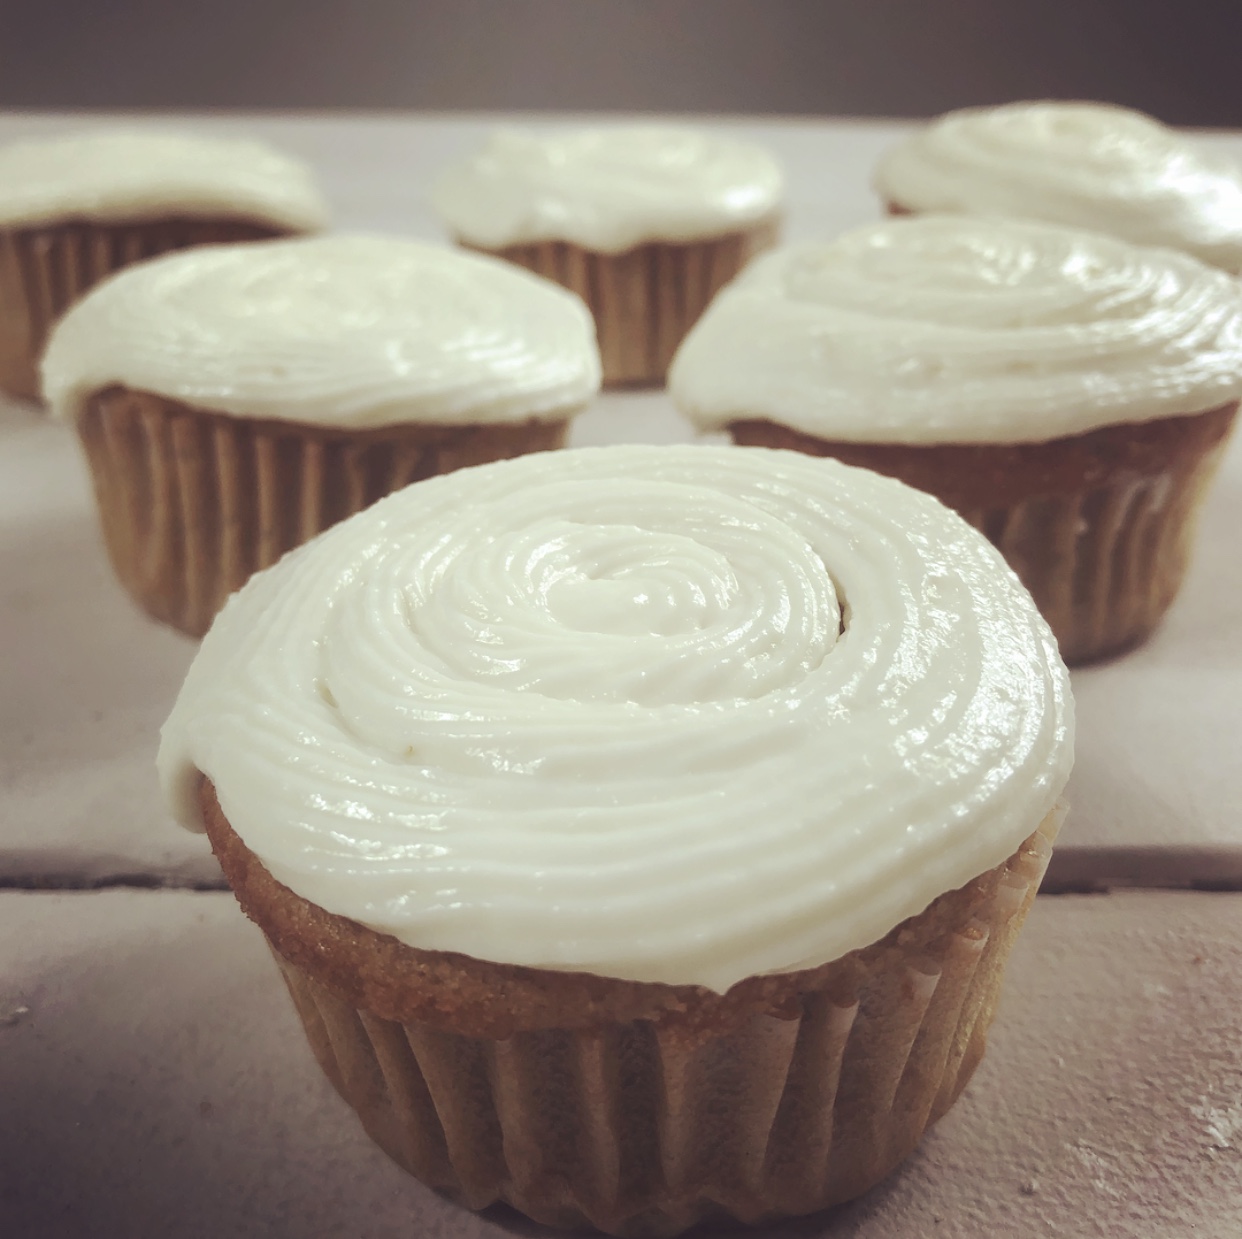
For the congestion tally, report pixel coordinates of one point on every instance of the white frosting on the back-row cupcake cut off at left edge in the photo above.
(132, 176)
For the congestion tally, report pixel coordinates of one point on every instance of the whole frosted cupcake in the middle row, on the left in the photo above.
(235, 400)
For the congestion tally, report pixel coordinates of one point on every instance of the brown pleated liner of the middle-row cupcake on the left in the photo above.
(193, 503)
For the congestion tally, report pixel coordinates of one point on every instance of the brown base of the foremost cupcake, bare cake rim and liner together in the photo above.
(644, 1109)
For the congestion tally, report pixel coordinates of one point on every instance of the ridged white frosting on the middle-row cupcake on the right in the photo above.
(941, 330)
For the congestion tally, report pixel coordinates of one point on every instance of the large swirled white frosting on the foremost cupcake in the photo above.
(680, 714)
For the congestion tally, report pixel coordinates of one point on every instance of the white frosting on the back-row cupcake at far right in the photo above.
(1089, 166)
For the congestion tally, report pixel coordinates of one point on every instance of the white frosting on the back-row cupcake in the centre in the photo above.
(608, 189)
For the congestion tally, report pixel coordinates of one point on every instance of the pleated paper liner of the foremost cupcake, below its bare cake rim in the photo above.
(643, 1129)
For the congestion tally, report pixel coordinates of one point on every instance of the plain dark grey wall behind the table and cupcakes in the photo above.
(1182, 61)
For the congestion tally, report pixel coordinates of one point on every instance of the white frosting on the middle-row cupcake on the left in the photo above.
(331, 331)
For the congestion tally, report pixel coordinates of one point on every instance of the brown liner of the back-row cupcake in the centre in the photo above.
(644, 300)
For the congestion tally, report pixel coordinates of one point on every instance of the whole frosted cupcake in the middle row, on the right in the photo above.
(1066, 393)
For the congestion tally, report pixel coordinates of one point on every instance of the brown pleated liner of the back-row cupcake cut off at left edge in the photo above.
(45, 270)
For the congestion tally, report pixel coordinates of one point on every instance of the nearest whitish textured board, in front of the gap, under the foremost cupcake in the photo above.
(155, 1083)
